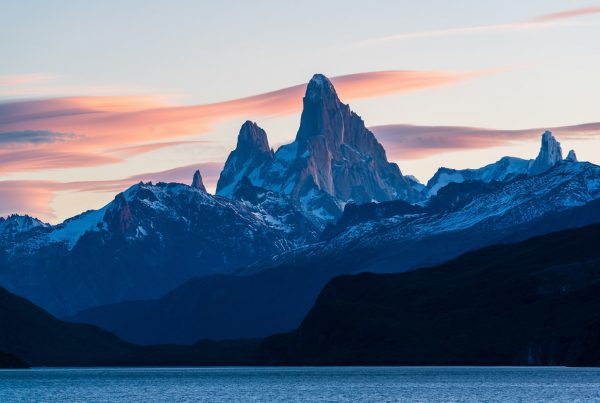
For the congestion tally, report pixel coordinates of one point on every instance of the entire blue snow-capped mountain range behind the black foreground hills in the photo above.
(171, 263)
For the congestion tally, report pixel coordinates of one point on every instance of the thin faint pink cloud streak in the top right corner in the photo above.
(543, 21)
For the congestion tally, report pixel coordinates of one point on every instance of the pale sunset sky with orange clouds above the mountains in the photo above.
(96, 96)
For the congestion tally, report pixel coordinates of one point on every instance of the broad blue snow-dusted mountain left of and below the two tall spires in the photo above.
(149, 239)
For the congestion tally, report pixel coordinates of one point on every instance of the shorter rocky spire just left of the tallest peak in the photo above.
(252, 151)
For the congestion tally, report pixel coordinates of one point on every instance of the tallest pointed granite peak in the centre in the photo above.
(342, 157)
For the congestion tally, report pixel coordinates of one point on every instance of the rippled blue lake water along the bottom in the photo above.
(368, 384)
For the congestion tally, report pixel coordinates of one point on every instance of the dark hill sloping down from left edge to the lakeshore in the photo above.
(31, 336)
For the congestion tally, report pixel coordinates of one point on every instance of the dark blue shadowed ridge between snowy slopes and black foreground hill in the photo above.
(275, 294)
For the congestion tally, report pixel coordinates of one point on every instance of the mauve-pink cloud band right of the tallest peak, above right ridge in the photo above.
(404, 142)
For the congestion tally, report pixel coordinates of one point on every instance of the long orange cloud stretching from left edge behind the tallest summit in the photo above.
(140, 123)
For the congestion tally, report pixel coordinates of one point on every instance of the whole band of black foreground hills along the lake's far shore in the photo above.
(529, 303)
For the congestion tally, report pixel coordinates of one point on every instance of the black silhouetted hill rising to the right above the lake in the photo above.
(530, 303)
